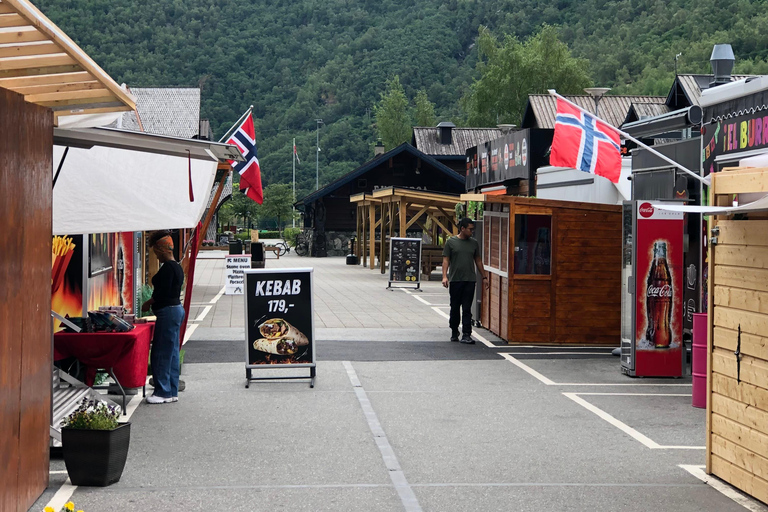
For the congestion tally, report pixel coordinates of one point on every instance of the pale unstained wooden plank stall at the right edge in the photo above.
(737, 384)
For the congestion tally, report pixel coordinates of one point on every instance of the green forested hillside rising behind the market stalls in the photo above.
(303, 60)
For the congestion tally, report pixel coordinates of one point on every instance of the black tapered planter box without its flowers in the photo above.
(95, 457)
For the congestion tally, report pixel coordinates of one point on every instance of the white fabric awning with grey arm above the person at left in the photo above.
(131, 181)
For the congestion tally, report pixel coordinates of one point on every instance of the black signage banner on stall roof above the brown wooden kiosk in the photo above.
(505, 158)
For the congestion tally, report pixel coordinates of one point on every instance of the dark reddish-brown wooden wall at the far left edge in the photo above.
(26, 141)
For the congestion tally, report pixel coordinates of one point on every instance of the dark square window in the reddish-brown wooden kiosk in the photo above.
(533, 244)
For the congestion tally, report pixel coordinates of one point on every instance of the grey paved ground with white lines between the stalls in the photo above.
(401, 419)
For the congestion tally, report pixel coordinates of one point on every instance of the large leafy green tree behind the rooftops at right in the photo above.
(511, 70)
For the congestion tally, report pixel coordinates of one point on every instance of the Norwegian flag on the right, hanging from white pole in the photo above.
(585, 142)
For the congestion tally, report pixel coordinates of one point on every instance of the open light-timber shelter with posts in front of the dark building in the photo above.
(392, 211)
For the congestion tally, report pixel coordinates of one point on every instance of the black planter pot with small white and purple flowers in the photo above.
(94, 444)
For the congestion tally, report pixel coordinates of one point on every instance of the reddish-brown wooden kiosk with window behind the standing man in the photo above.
(555, 270)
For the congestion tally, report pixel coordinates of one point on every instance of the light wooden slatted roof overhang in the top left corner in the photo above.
(39, 61)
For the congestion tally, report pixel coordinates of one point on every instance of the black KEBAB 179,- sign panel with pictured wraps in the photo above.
(279, 314)
